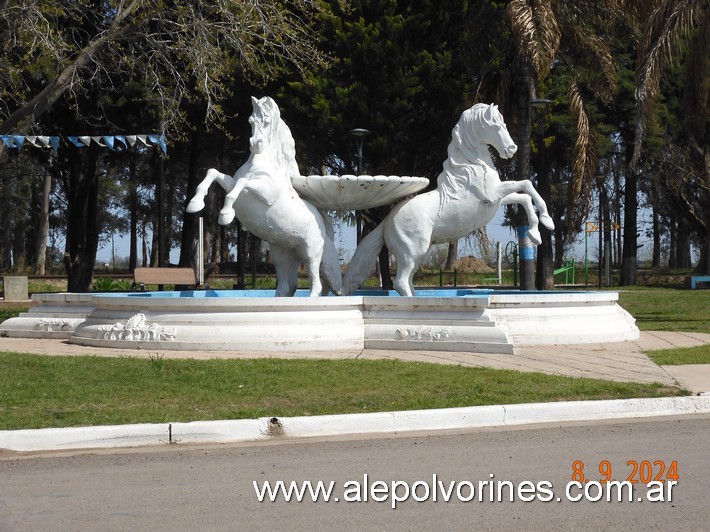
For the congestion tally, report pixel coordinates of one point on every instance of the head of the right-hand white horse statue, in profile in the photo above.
(483, 125)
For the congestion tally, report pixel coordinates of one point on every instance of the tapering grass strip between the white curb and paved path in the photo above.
(39, 391)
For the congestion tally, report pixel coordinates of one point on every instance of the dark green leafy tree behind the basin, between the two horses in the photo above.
(398, 70)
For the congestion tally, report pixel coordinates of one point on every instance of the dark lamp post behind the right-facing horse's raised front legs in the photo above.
(545, 276)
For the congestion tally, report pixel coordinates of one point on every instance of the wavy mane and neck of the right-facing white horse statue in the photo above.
(466, 152)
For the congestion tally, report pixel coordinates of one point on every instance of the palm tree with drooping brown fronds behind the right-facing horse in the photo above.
(546, 32)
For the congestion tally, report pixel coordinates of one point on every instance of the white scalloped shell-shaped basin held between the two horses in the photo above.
(352, 193)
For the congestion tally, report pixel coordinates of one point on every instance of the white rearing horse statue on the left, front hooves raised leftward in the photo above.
(263, 198)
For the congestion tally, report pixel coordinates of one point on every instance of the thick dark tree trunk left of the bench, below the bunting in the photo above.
(82, 220)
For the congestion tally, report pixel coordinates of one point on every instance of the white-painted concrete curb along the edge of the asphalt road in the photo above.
(264, 429)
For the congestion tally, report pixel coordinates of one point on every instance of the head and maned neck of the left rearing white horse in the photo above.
(271, 137)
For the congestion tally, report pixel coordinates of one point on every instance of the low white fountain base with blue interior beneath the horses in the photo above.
(481, 321)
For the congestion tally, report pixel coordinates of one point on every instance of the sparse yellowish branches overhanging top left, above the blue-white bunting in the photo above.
(184, 51)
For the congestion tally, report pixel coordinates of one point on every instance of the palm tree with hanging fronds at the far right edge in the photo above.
(675, 29)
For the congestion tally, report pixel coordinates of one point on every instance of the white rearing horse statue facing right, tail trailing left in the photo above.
(468, 194)
